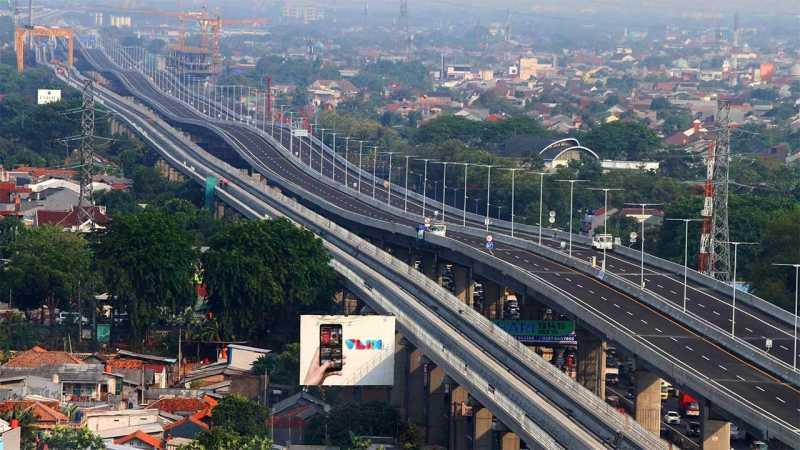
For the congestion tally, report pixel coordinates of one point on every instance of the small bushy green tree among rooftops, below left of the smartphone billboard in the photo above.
(241, 416)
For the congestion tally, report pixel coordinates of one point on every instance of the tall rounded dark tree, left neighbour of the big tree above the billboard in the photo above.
(148, 262)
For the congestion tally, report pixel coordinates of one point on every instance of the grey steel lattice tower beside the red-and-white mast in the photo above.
(720, 264)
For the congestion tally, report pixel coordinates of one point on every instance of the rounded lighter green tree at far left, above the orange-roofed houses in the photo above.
(47, 265)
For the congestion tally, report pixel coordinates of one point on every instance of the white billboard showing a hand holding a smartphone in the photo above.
(347, 350)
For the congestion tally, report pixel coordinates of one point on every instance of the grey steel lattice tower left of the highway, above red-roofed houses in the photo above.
(86, 197)
